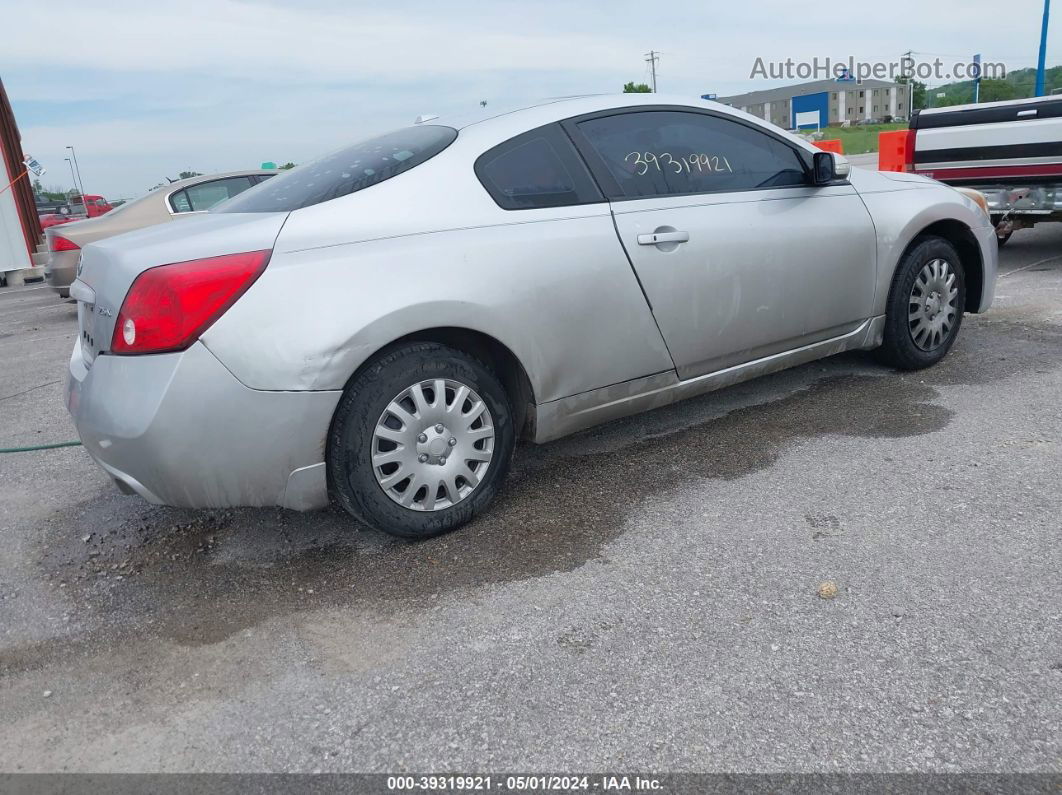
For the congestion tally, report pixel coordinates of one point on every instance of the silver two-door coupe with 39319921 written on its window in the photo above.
(381, 326)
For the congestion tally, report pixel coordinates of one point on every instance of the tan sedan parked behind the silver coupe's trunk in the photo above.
(178, 200)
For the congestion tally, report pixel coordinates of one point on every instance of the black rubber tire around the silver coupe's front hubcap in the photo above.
(899, 348)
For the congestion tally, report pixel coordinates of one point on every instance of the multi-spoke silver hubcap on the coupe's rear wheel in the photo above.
(433, 445)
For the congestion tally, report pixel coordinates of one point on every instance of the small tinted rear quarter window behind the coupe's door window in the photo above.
(535, 170)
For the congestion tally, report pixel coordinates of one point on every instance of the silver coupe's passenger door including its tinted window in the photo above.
(740, 256)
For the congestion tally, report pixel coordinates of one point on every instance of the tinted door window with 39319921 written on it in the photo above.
(661, 153)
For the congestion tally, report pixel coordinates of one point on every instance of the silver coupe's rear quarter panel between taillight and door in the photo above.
(560, 295)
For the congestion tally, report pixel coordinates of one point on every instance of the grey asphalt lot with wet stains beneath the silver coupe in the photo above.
(643, 597)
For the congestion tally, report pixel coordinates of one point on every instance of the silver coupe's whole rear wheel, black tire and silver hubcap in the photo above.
(421, 442)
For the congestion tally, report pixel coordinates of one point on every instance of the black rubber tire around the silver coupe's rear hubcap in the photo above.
(352, 480)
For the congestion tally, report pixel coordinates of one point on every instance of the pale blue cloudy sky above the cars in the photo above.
(147, 90)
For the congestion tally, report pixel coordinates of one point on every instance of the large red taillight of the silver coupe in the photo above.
(170, 306)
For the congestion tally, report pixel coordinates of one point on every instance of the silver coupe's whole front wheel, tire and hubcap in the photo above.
(926, 306)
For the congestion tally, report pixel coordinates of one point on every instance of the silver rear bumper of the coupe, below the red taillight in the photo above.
(180, 430)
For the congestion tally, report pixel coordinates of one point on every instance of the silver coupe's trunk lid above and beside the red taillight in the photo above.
(108, 268)
